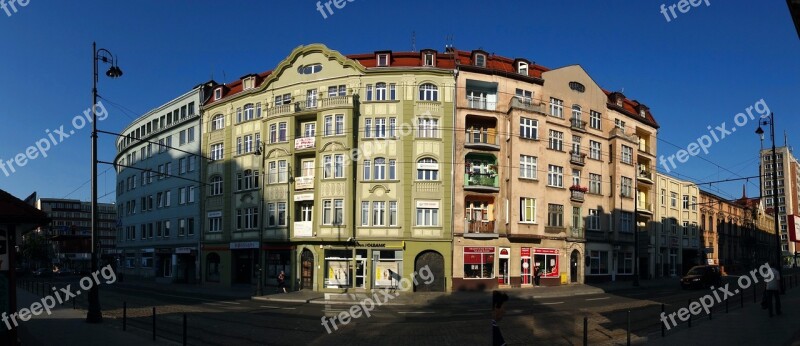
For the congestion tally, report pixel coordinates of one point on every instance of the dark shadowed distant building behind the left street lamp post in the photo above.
(70, 232)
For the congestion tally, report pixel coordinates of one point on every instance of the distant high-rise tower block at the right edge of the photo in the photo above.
(788, 171)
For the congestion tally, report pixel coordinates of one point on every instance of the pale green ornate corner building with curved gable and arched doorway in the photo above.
(334, 169)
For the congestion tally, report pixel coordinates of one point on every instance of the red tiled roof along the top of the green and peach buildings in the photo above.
(447, 60)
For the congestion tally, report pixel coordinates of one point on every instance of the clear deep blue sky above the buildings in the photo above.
(699, 69)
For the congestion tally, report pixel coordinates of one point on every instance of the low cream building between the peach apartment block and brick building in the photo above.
(677, 244)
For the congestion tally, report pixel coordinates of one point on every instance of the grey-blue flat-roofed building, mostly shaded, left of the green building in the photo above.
(158, 191)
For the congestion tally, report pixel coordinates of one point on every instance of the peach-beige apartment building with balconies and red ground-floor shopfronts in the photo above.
(549, 167)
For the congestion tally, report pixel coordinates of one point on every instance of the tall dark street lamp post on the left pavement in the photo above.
(94, 314)
